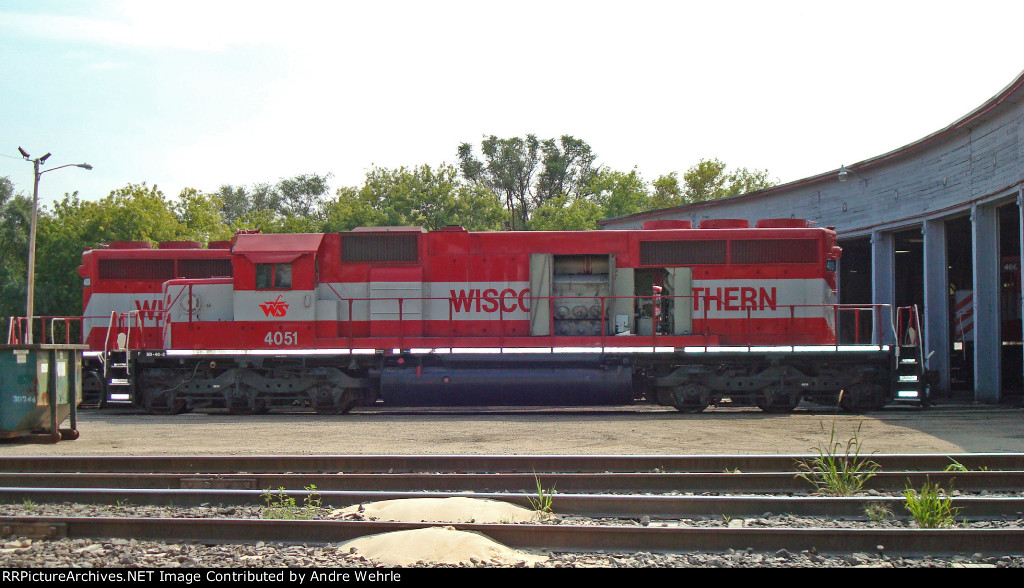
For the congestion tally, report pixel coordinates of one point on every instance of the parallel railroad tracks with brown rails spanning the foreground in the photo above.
(621, 503)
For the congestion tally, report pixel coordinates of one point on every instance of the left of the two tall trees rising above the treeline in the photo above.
(508, 170)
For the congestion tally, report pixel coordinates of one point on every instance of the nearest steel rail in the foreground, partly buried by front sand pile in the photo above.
(551, 538)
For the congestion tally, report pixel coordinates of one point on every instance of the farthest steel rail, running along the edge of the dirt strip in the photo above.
(493, 464)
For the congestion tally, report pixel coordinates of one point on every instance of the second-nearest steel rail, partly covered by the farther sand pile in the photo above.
(618, 507)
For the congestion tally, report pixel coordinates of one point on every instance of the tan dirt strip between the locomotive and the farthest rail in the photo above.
(641, 430)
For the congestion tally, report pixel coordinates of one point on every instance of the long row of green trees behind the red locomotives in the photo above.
(517, 183)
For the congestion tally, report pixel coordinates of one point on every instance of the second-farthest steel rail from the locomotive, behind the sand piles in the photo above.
(757, 483)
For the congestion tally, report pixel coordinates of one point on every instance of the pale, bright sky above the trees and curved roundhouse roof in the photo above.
(205, 94)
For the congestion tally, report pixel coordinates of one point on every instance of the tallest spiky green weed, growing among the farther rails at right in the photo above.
(838, 471)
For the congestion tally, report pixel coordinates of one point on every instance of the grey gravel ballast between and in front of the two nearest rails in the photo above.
(28, 554)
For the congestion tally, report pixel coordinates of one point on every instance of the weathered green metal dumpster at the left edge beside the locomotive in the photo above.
(40, 388)
